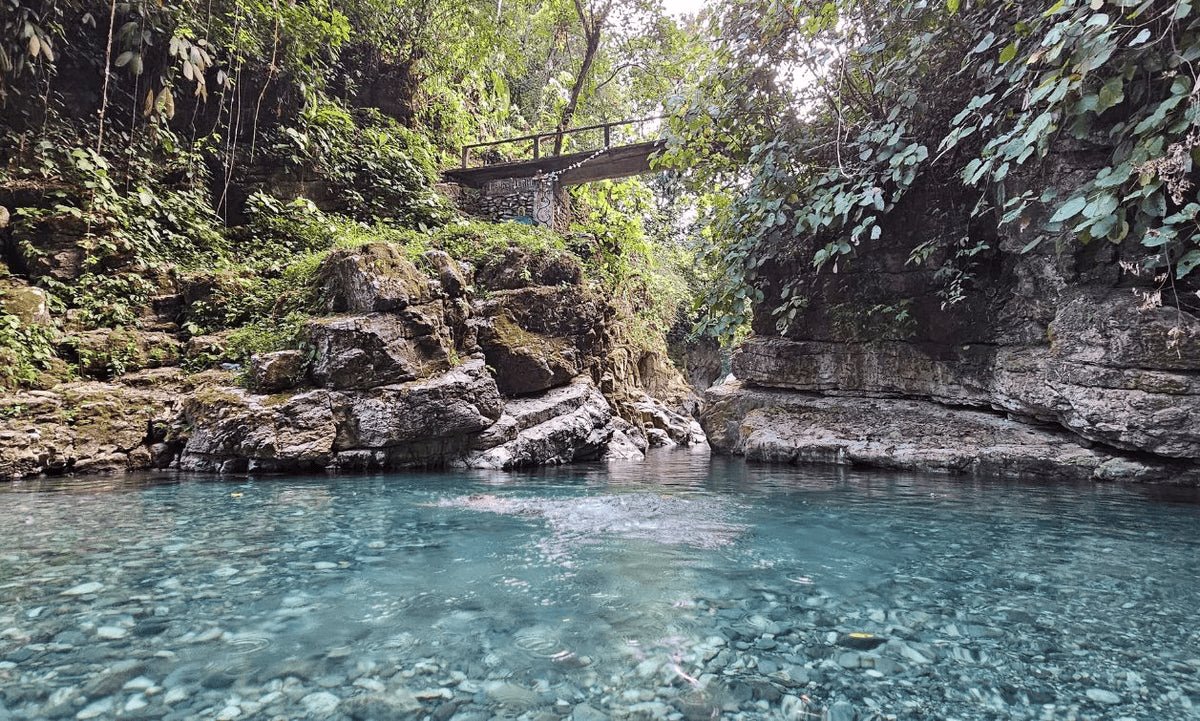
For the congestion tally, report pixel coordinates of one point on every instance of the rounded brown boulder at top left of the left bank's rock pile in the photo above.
(373, 279)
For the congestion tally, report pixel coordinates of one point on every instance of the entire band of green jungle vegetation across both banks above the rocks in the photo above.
(161, 137)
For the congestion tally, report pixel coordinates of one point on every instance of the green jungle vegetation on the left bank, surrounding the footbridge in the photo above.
(167, 141)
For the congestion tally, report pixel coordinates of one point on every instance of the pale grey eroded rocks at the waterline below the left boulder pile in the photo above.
(457, 418)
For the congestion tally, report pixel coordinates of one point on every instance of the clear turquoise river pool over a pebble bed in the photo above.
(681, 588)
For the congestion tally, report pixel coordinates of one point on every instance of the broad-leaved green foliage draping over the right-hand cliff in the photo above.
(818, 118)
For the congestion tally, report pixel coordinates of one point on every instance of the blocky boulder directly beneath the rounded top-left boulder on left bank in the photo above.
(361, 352)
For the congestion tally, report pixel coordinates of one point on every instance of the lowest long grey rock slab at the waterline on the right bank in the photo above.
(910, 435)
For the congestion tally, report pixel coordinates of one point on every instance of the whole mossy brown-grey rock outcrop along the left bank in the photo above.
(411, 371)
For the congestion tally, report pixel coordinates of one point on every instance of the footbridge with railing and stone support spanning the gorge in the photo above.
(531, 189)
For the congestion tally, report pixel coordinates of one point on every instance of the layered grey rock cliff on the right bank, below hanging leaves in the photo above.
(1053, 364)
